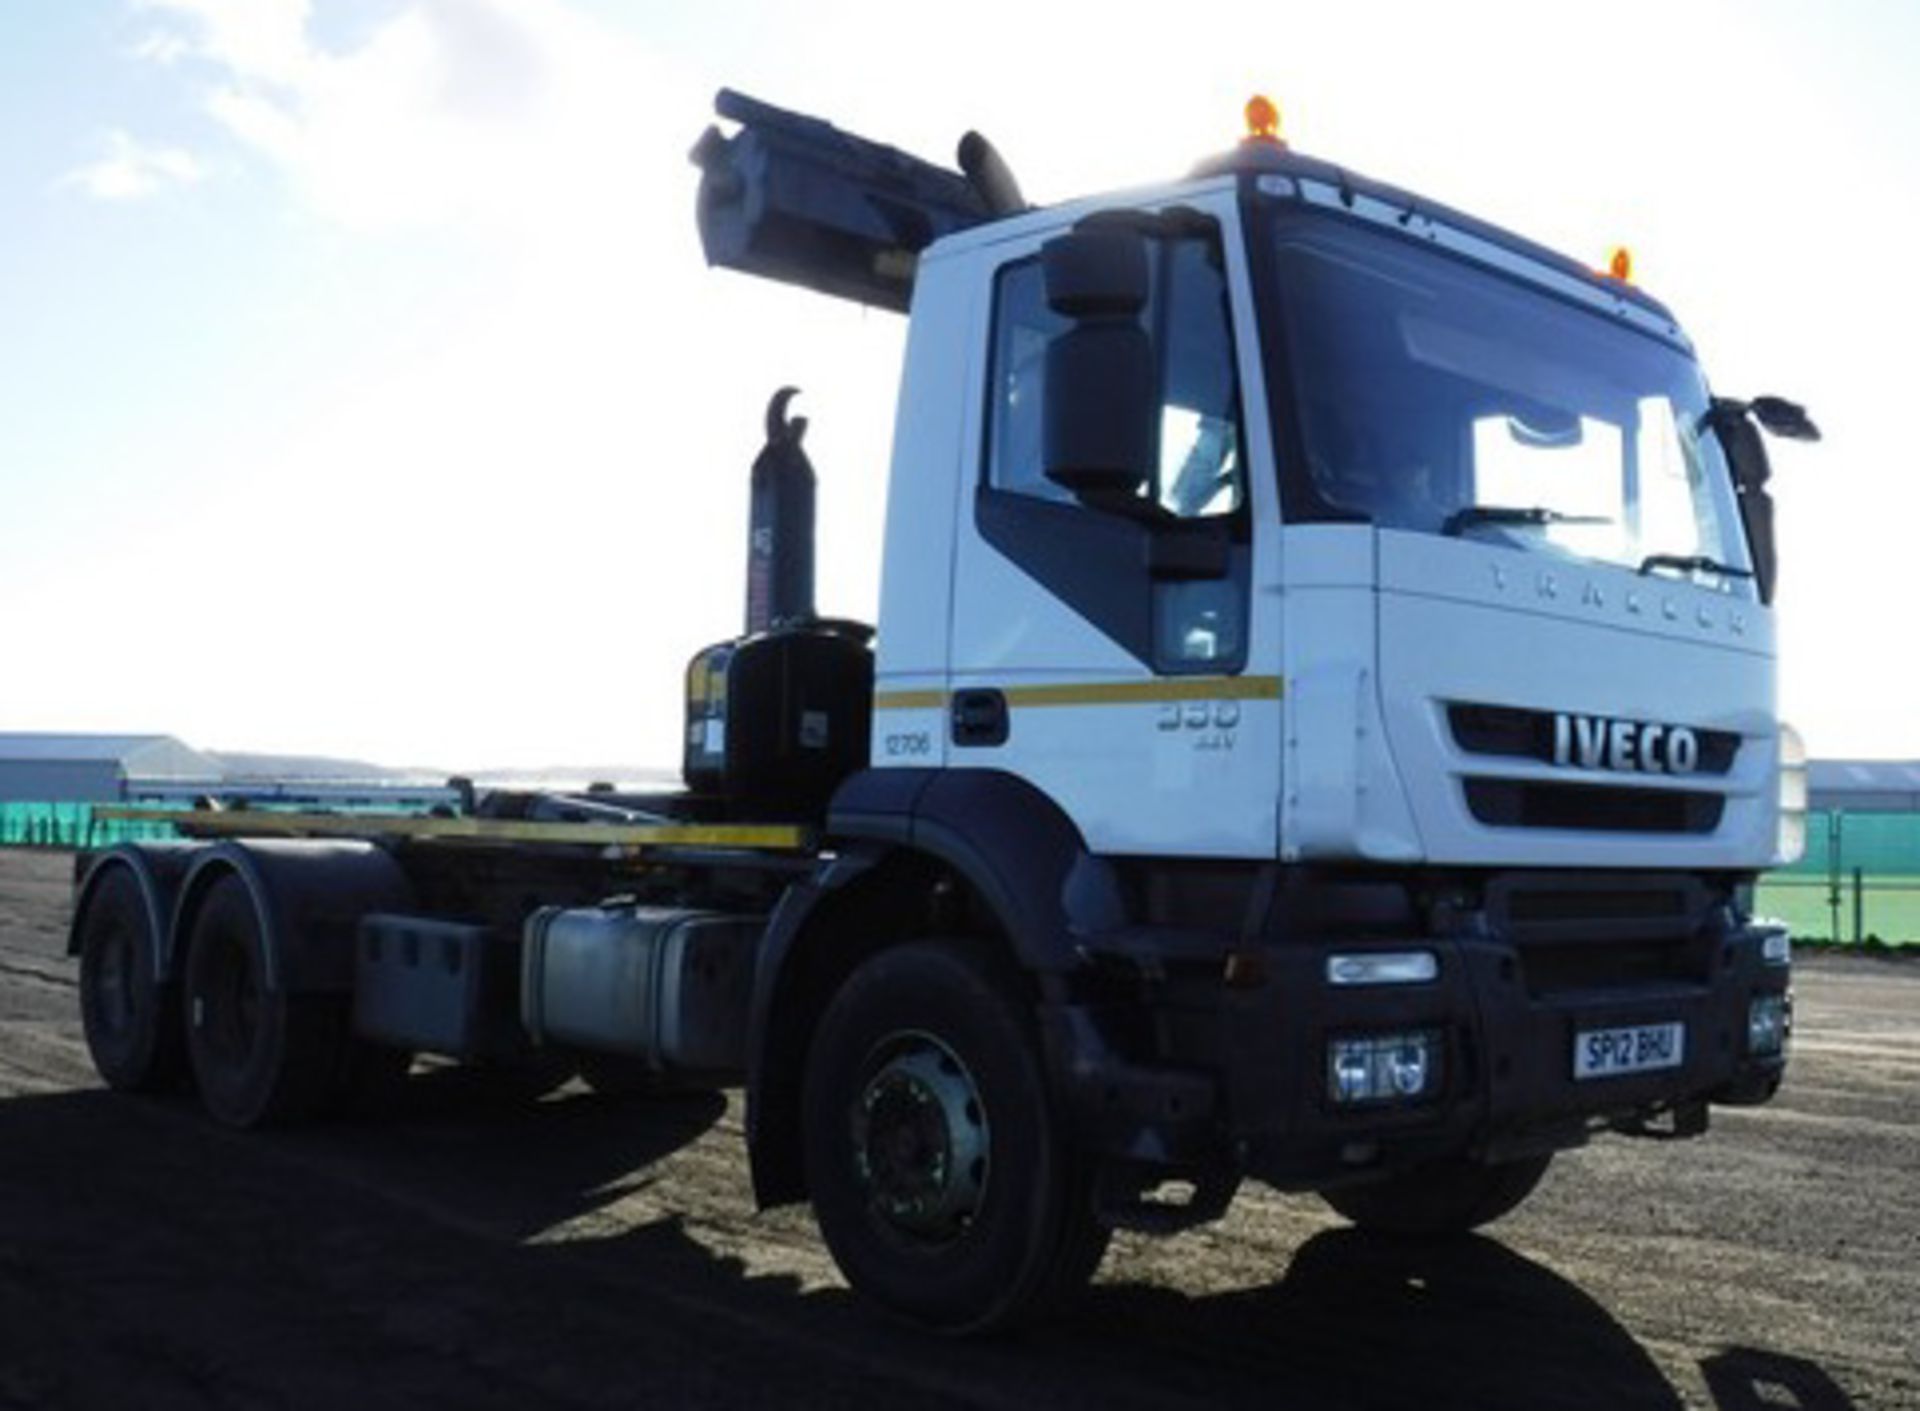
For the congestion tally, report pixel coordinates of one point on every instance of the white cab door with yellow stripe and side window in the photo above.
(1122, 659)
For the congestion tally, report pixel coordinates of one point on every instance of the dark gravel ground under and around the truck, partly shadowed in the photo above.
(471, 1249)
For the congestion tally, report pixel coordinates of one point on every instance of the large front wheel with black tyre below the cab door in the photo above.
(940, 1172)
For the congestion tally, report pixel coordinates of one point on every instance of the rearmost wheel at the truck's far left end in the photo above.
(132, 1020)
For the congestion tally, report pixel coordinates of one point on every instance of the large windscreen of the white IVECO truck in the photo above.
(1445, 398)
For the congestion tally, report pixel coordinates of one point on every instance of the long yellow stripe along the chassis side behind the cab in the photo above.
(260, 823)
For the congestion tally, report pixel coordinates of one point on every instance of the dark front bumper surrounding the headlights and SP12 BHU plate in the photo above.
(1255, 1095)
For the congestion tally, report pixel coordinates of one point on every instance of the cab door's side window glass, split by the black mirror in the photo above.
(1201, 471)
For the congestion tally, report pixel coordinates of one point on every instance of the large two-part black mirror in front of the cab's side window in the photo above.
(1099, 427)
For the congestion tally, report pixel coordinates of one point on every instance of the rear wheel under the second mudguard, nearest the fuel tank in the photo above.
(260, 1055)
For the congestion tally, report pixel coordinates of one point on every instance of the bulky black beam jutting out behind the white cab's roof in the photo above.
(798, 201)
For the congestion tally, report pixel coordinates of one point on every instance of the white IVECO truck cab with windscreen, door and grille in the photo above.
(1397, 579)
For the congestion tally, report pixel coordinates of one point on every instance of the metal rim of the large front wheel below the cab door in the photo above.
(921, 1139)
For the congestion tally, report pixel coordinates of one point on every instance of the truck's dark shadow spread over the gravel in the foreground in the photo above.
(420, 1258)
